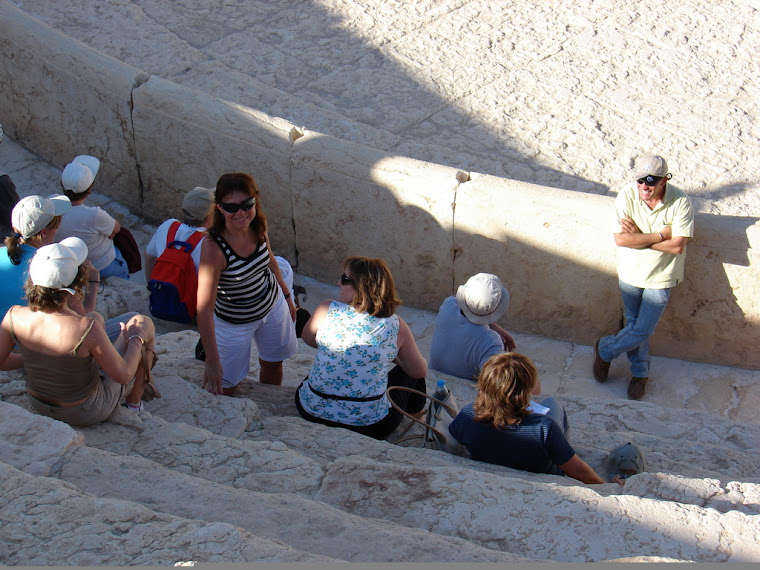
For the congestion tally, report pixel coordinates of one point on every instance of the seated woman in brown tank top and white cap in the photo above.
(73, 372)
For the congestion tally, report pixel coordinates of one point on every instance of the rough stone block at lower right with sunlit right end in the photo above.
(541, 521)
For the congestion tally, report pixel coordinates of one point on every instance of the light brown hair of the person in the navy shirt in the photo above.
(504, 387)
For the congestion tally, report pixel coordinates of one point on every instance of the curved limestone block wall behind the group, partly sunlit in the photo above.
(327, 198)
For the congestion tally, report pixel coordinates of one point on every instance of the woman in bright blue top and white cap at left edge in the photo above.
(35, 221)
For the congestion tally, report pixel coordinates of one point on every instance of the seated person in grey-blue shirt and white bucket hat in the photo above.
(466, 333)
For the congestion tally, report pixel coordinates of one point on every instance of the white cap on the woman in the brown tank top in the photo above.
(56, 265)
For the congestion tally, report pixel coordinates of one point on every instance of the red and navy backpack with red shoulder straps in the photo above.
(173, 282)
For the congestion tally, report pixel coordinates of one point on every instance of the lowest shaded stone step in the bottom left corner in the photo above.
(48, 522)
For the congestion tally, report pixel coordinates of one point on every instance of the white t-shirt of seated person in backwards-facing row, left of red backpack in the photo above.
(93, 225)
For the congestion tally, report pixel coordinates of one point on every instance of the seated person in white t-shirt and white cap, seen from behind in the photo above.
(92, 224)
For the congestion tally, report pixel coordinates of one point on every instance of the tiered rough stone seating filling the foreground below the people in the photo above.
(265, 484)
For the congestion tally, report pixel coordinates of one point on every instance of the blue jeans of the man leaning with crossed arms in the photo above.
(643, 309)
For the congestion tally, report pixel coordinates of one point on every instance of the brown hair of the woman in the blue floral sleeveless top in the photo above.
(374, 288)
